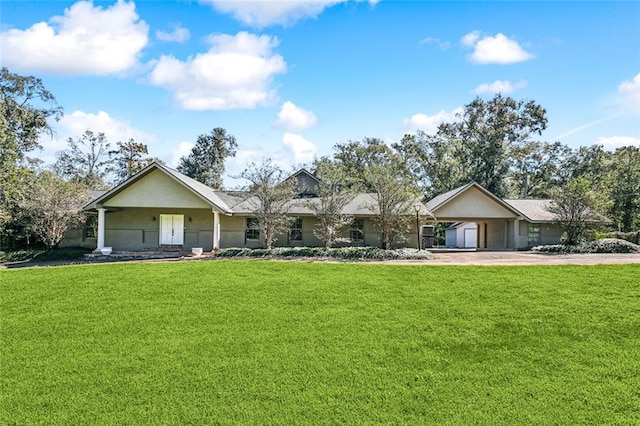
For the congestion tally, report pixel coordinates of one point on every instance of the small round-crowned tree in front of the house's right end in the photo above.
(576, 207)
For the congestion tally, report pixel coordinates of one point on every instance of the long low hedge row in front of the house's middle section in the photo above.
(342, 253)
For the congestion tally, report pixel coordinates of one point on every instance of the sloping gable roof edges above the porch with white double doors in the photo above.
(199, 189)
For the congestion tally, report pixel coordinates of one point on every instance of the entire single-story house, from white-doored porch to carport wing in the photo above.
(160, 207)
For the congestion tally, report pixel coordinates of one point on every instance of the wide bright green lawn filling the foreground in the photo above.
(262, 342)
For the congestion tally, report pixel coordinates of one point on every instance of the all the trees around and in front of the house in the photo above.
(495, 143)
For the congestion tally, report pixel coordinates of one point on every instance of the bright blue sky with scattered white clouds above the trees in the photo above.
(290, 79)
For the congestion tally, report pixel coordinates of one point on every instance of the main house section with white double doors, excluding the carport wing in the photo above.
(160, 207)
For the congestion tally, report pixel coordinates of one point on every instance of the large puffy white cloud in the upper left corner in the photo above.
(86, 40)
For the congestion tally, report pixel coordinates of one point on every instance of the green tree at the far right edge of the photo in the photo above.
(623, 187)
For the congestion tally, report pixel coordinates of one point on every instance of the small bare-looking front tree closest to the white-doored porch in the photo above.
(269, 193)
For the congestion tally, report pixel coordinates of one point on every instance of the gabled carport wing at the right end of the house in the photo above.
(485, 221)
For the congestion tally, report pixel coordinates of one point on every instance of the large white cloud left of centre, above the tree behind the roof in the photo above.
(236, 72)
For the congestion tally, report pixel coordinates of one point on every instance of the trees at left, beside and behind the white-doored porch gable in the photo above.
(39, 202)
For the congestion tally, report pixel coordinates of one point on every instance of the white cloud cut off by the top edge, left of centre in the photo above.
(263, 13)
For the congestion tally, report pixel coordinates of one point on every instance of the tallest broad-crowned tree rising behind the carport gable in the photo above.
(488, 131)
